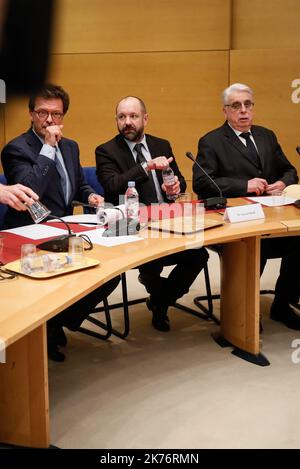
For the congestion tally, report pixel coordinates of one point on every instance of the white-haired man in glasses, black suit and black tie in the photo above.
(244, 160)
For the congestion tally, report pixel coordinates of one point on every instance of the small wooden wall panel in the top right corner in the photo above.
(263, 24)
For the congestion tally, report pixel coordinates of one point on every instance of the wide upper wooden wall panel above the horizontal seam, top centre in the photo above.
(149, 25)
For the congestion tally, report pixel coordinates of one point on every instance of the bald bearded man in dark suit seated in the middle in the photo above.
(134, 156)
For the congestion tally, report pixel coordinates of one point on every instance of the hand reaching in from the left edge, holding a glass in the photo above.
(15, 195)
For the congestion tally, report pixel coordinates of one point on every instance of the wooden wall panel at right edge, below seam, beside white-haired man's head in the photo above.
(277, 104)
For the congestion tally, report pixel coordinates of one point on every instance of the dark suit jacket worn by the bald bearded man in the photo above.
(116, 166)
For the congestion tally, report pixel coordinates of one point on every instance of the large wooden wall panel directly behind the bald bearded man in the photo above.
(181, 91)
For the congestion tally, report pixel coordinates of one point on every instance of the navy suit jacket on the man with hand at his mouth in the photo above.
(23, 164)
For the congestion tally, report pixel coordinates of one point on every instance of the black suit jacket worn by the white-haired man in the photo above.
(226, 160)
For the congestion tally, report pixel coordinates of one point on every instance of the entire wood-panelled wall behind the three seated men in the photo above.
(178, 57)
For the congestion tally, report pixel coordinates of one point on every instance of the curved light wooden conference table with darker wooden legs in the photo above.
(27, 304)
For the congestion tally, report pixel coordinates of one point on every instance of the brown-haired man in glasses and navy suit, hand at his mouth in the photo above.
(48, 163)
